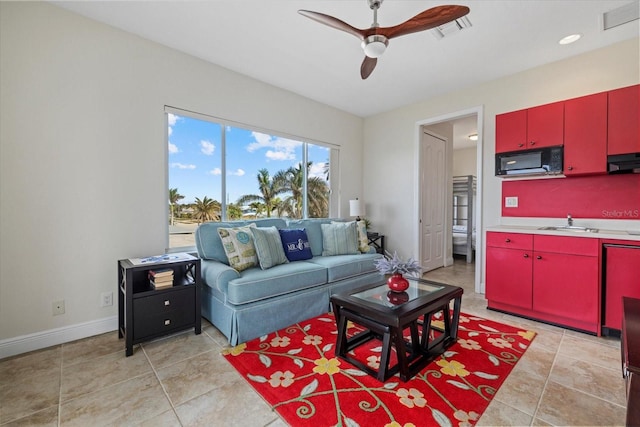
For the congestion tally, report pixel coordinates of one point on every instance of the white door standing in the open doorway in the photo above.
(432, 209)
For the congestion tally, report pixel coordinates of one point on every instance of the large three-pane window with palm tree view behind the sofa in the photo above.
(259, 173)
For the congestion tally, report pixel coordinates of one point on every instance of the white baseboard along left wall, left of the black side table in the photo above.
(44, 339)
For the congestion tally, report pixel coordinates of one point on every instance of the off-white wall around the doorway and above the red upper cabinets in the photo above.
(390, 137)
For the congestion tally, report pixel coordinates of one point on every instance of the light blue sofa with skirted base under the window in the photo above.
(248, 304)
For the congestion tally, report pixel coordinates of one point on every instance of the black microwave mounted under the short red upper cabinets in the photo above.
(539, 161)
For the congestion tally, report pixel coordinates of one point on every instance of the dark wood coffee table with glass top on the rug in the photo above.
(386, 317)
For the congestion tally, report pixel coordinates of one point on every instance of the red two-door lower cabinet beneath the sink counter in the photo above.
(556, 281)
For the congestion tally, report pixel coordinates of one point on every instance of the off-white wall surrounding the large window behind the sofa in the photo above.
(83, 175)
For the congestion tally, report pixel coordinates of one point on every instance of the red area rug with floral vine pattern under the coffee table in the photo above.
(295, 370)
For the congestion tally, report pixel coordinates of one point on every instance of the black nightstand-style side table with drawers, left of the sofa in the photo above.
(145, 313)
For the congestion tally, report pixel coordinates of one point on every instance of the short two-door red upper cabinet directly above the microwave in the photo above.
(541, 126)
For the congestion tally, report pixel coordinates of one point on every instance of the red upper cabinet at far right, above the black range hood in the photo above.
(624, 122)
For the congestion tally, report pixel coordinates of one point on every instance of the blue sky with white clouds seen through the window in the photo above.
(195, 158)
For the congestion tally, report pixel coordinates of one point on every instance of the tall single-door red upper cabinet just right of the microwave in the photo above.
(585, 135)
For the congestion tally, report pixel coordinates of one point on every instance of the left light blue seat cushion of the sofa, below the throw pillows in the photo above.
(256, 284)
